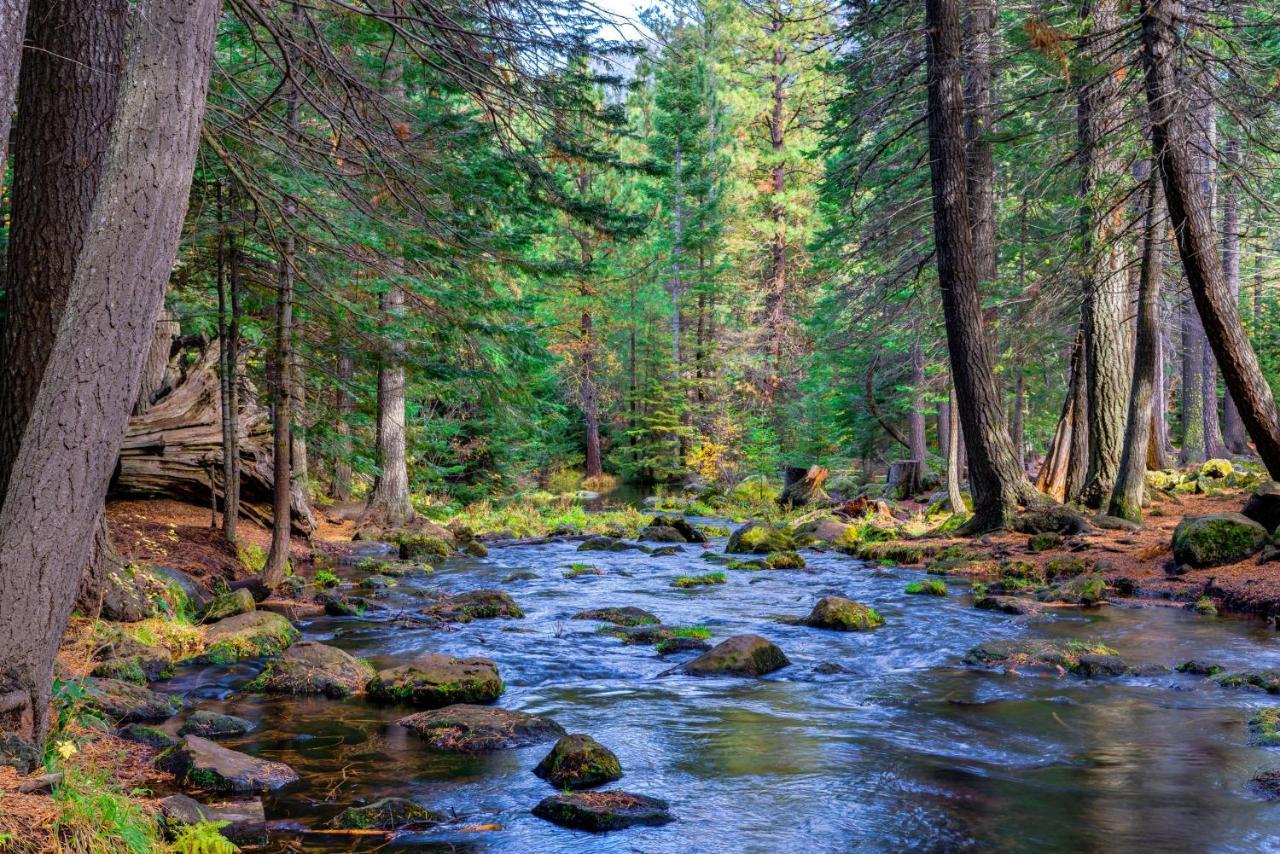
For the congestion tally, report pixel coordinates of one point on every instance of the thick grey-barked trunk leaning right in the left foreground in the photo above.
(92, 380)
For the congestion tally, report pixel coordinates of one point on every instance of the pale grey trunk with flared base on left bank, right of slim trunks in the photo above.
(388, 504)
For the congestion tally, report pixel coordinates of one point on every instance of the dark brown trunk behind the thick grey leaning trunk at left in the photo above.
(68, 93)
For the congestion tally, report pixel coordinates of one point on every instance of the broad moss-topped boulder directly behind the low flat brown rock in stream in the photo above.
(436, 681)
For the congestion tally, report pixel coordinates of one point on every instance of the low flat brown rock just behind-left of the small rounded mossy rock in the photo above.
(468, 729)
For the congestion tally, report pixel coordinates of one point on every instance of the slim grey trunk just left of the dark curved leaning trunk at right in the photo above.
(1131, 481)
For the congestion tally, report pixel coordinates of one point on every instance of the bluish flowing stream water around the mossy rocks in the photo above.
(906, 750)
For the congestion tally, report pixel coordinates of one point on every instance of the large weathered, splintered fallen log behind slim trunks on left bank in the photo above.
(175, 447)
